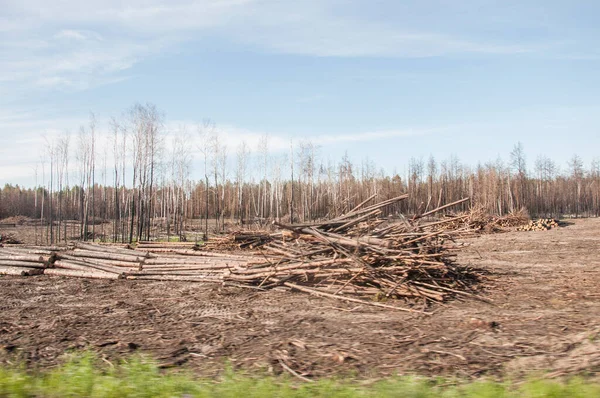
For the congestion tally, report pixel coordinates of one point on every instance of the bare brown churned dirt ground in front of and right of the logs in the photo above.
(545, 317)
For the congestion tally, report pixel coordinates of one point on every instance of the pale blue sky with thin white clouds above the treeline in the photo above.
(385, 80)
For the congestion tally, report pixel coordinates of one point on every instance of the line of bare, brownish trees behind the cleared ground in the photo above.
(140, 177)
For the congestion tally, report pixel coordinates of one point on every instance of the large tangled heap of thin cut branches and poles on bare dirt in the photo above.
(361, 254)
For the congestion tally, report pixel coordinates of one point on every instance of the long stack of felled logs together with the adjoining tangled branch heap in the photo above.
(353, 257)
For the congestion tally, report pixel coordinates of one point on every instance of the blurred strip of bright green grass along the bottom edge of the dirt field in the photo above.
(84, 375)
